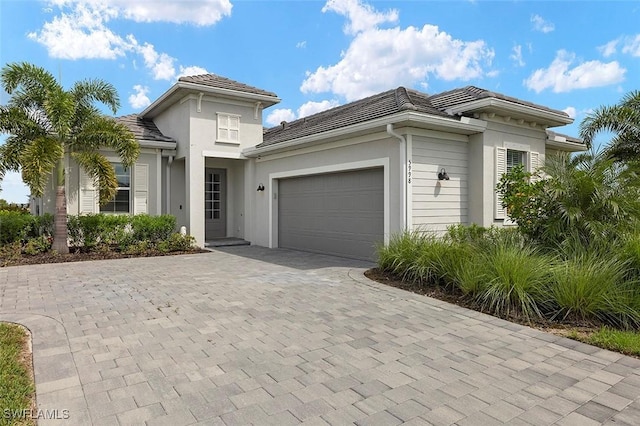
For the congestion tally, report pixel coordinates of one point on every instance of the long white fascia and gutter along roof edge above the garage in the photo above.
(467, 126)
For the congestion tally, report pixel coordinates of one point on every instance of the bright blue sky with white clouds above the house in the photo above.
(569, 55)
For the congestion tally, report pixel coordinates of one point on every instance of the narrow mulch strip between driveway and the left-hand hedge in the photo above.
(79, 256)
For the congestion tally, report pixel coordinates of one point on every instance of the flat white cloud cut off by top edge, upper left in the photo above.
(197, 12)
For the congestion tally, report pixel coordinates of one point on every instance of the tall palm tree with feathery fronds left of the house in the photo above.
(45, 123)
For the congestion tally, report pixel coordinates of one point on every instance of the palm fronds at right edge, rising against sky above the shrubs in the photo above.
(623, 120)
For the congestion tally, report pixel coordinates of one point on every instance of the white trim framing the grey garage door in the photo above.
(356, 165)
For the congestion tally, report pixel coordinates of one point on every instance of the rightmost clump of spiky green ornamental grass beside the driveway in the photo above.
(594, 288)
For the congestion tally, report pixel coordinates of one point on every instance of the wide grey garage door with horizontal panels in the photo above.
(336, 213)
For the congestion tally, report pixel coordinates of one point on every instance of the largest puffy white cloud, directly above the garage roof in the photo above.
(379, 59)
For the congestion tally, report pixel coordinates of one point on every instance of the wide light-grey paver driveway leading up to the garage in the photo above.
(248, 335)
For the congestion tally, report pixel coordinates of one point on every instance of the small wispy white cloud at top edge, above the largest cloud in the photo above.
(361, 16)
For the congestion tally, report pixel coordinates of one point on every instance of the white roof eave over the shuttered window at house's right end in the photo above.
(508, 108)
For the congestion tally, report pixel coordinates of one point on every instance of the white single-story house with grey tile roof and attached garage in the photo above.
(339, 181)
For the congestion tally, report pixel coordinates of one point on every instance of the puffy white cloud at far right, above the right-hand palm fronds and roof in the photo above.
(559, 77)
